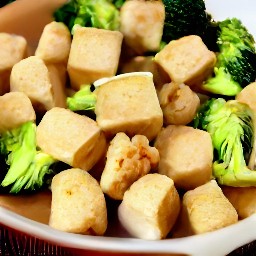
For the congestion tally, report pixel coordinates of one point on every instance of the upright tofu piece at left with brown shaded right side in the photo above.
(32, 77)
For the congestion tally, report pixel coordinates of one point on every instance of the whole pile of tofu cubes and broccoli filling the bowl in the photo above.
(139, 102)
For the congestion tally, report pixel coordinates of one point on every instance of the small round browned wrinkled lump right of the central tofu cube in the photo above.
(179, 103)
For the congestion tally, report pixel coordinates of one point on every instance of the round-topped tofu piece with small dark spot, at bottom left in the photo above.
(78, 204)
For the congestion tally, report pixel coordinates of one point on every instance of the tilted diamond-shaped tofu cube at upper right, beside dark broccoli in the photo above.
(187, 60)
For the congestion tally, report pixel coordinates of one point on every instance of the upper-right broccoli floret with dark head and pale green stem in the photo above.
(236, 59)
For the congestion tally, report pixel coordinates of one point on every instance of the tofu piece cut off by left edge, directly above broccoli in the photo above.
(16, 109)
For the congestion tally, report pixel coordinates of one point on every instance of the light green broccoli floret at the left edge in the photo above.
(27, 166)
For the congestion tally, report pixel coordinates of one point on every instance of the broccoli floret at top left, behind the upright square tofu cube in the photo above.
(89, 13)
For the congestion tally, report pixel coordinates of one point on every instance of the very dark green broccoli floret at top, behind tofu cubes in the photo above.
(184, 17)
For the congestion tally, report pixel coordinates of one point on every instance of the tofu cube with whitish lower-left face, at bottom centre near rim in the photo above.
(150, 207)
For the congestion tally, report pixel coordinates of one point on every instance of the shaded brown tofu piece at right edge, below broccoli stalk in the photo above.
(243, 199)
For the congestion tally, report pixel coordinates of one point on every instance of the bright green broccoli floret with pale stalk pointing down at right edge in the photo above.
(231, 126)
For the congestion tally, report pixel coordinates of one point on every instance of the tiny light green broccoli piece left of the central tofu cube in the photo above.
(84, 99)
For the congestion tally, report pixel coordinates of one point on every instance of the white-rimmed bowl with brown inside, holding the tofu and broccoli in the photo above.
(29, 20)
